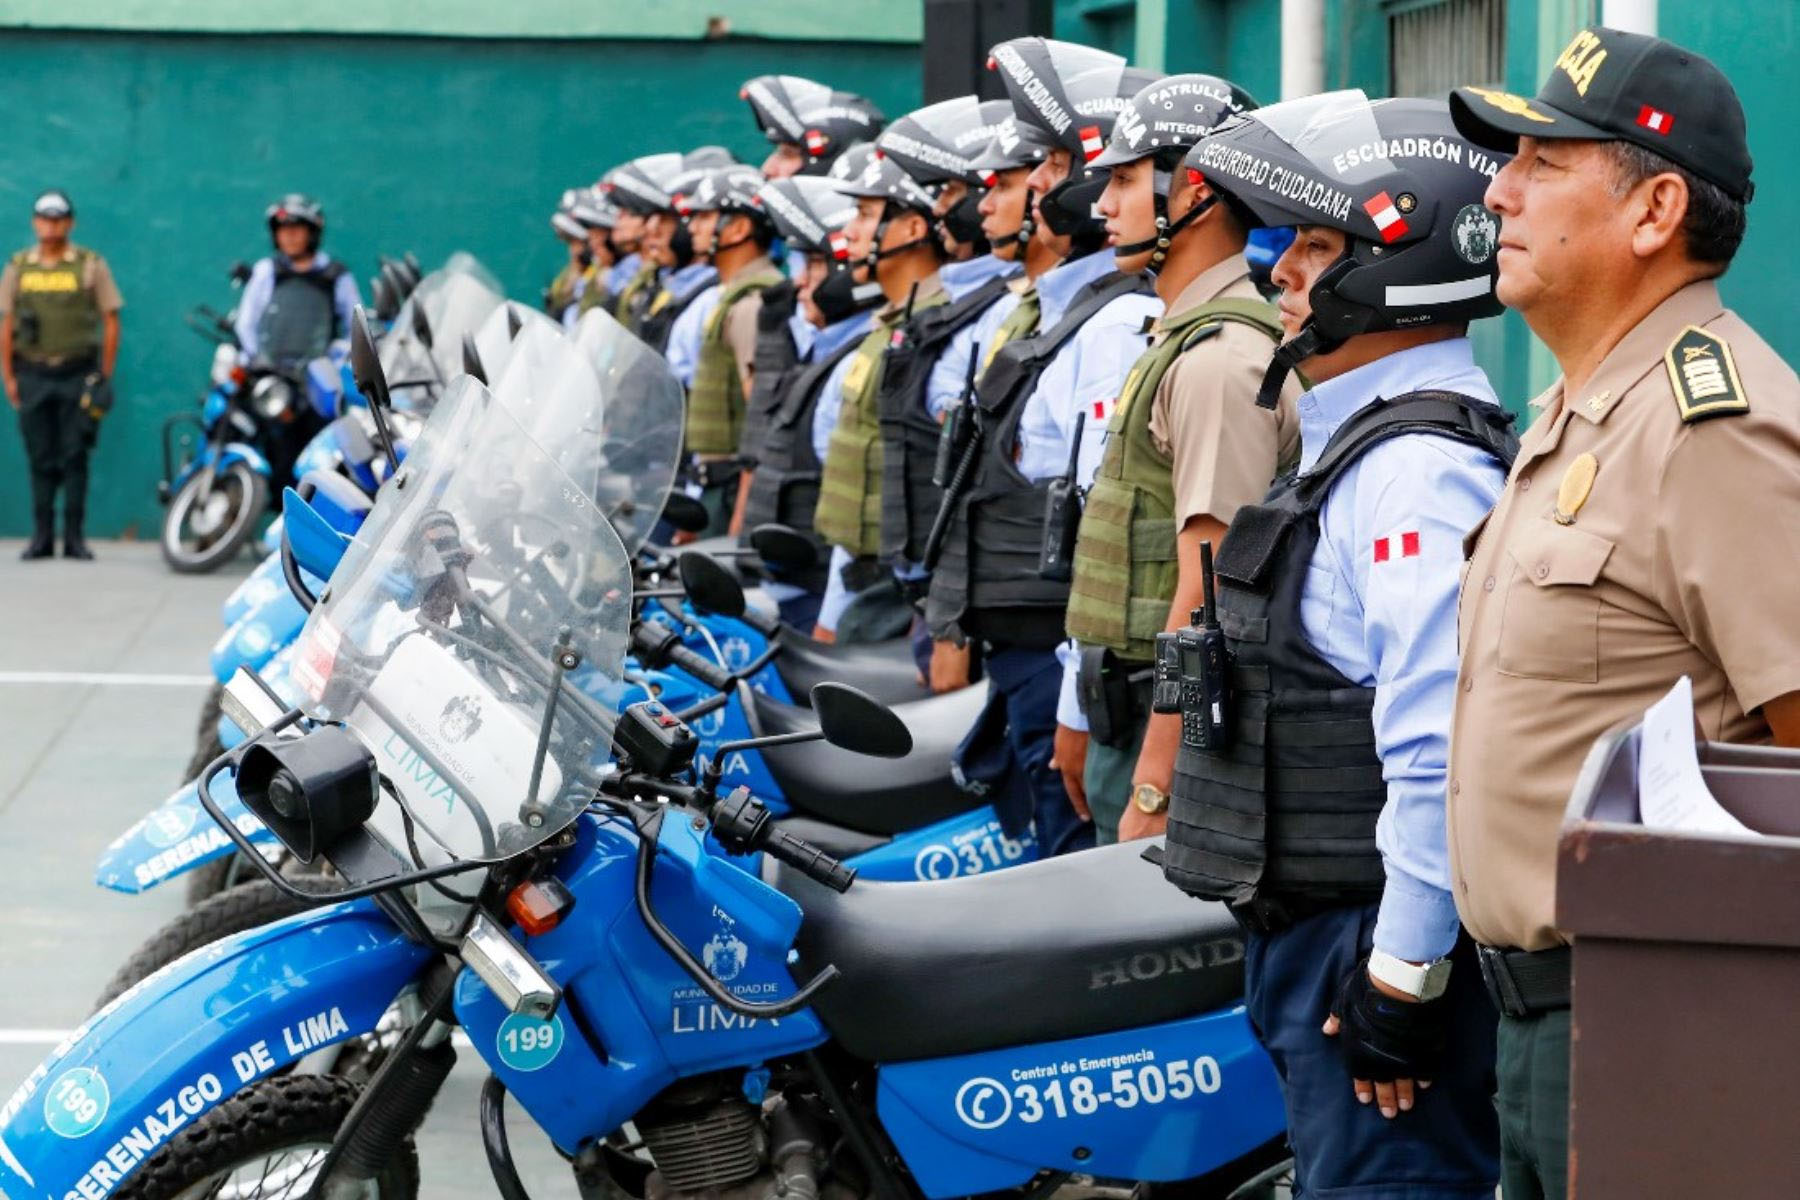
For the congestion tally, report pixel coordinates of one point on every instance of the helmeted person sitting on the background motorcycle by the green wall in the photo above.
(298, 300)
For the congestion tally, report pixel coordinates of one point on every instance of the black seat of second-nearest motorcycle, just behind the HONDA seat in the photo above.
(867, 794)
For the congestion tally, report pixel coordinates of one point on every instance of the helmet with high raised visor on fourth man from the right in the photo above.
(1074, 94)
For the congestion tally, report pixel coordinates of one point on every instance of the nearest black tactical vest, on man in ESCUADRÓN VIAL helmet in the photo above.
(1288, 810)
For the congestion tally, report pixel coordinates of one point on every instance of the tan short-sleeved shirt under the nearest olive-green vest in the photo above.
(1225, 447)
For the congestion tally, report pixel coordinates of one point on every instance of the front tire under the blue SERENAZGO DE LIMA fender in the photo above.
(274, 1131)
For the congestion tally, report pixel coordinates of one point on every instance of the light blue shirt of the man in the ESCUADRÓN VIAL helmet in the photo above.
(1392, 625)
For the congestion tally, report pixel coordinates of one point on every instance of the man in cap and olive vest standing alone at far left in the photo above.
(58, 346)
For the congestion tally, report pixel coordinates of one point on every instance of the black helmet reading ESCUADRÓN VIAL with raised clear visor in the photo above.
(1398, 179)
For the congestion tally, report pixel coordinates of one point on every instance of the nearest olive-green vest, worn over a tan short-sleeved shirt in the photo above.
(1126, 566)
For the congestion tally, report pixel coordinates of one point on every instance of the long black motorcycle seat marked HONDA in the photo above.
(1059, 949)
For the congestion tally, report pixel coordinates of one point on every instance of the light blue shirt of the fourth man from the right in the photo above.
(1086, 375)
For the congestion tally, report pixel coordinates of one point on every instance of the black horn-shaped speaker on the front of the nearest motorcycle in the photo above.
(310, 791)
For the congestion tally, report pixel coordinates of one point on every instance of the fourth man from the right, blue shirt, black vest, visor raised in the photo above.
(1043, 400)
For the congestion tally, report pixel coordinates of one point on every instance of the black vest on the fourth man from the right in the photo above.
(987, 578)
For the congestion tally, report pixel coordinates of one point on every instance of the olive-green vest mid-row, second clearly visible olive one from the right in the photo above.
(850, 490)
